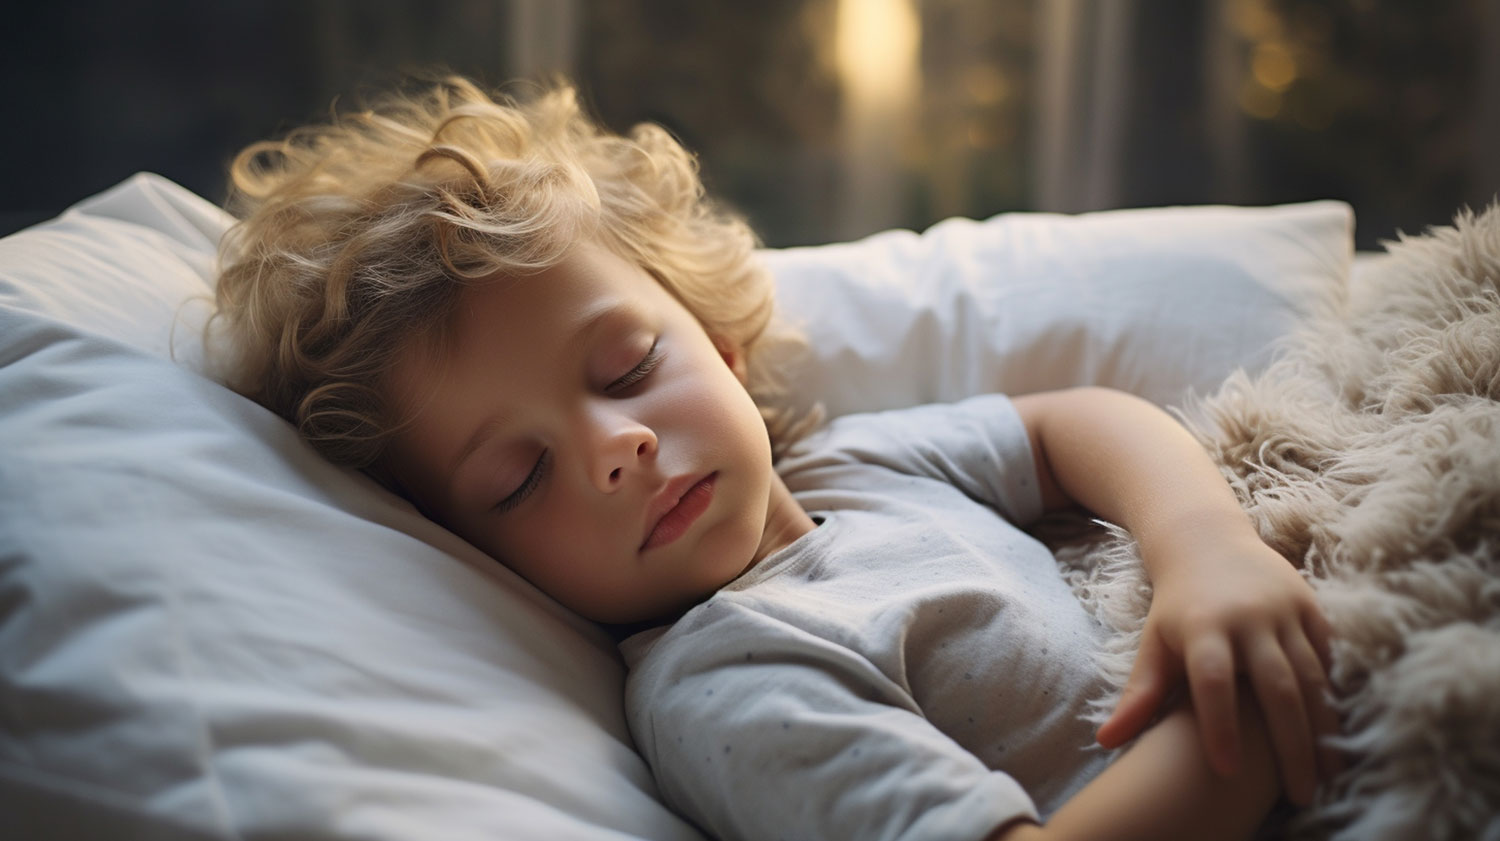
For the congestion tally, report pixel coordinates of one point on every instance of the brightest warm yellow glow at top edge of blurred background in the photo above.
(877, 44)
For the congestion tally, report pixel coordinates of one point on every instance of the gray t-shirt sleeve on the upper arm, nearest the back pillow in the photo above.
(979, 446)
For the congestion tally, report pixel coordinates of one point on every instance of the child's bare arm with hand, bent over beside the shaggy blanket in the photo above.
(1225, 603)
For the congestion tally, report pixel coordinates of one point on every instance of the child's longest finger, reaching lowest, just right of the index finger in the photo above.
(1280, 696)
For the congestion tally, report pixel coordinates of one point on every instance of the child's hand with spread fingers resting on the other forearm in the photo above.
(1229, 606)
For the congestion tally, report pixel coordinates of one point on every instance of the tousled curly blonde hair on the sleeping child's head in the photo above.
(356, 239)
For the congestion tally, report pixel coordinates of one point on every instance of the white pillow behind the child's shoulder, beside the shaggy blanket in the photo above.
(1154, 302)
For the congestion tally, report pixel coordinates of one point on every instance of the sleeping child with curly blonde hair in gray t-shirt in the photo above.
(550, 341)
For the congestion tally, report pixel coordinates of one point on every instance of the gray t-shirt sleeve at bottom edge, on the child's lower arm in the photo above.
(760, 731)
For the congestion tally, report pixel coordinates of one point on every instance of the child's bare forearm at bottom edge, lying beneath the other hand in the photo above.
(1163, 791)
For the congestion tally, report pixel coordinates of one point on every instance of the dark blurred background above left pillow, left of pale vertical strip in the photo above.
(101, 89)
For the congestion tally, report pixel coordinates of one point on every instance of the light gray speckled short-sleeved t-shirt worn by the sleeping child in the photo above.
(914, 668)
